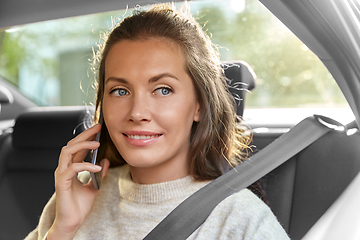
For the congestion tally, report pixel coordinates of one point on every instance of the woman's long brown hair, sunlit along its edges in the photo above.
(217, 142)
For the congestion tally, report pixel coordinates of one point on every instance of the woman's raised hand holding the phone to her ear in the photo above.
(73, 198)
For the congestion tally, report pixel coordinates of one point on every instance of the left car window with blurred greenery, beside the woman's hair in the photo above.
(49, 61)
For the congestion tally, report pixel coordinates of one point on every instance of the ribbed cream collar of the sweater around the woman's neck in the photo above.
(158, 192)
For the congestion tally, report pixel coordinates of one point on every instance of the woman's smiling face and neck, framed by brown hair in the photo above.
(149, 107)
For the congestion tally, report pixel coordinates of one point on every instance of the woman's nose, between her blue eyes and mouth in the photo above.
(140, 108)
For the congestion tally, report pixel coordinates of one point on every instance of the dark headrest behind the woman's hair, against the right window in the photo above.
(241, 78)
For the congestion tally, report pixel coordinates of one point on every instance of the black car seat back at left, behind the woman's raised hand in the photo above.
(28, 158)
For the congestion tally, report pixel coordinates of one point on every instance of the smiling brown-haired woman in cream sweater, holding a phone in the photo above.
(169, 128)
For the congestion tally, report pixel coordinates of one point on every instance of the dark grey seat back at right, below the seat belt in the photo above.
(304, 187)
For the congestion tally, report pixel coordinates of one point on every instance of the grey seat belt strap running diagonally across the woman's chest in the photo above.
(194, 210)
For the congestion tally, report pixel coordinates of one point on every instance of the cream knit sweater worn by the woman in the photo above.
(126, 210)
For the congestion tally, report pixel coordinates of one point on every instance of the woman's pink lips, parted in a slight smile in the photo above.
(141, 138)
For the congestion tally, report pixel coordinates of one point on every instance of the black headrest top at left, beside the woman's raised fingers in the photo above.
(50, 127)
